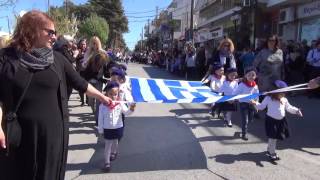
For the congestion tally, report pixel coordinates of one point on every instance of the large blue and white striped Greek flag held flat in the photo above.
(174, 91)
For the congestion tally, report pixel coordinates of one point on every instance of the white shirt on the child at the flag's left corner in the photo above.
(111, 119)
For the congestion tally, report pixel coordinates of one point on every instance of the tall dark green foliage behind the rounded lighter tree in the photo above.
(110, 10)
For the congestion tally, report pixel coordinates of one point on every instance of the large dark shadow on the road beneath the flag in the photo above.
(149, 144)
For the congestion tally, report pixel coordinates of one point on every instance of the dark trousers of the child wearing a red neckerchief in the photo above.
(247, 113)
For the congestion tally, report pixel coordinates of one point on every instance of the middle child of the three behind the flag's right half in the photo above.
(227, 89)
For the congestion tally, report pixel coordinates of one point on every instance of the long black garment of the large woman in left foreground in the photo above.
(47, 134)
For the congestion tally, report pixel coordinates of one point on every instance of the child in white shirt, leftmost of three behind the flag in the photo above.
(216, 80)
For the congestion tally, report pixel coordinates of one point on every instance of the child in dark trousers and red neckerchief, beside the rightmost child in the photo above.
(247, 110)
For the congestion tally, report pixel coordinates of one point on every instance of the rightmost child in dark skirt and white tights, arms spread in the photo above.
(276, 123)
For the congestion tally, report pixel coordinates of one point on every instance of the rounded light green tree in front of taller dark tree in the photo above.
(94, 26)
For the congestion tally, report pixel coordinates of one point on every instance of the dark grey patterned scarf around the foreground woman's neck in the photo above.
(37, 59)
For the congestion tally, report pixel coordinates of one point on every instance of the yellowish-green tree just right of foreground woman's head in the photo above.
(64, 24)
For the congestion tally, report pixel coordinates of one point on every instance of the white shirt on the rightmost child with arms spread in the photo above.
(276, 109)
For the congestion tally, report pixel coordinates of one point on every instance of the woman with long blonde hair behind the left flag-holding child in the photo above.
(96, 68)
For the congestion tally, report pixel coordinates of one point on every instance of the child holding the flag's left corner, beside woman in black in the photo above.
(110, 123)
